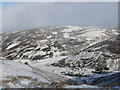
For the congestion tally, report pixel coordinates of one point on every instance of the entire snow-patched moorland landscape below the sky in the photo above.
(60, 57)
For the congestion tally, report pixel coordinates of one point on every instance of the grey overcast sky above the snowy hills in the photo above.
(20, 16)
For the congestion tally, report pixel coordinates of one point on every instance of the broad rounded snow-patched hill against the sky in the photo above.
(47, 42)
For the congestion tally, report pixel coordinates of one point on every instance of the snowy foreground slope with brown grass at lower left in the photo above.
(19, 75)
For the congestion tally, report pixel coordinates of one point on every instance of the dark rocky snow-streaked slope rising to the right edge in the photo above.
(103, 54)
